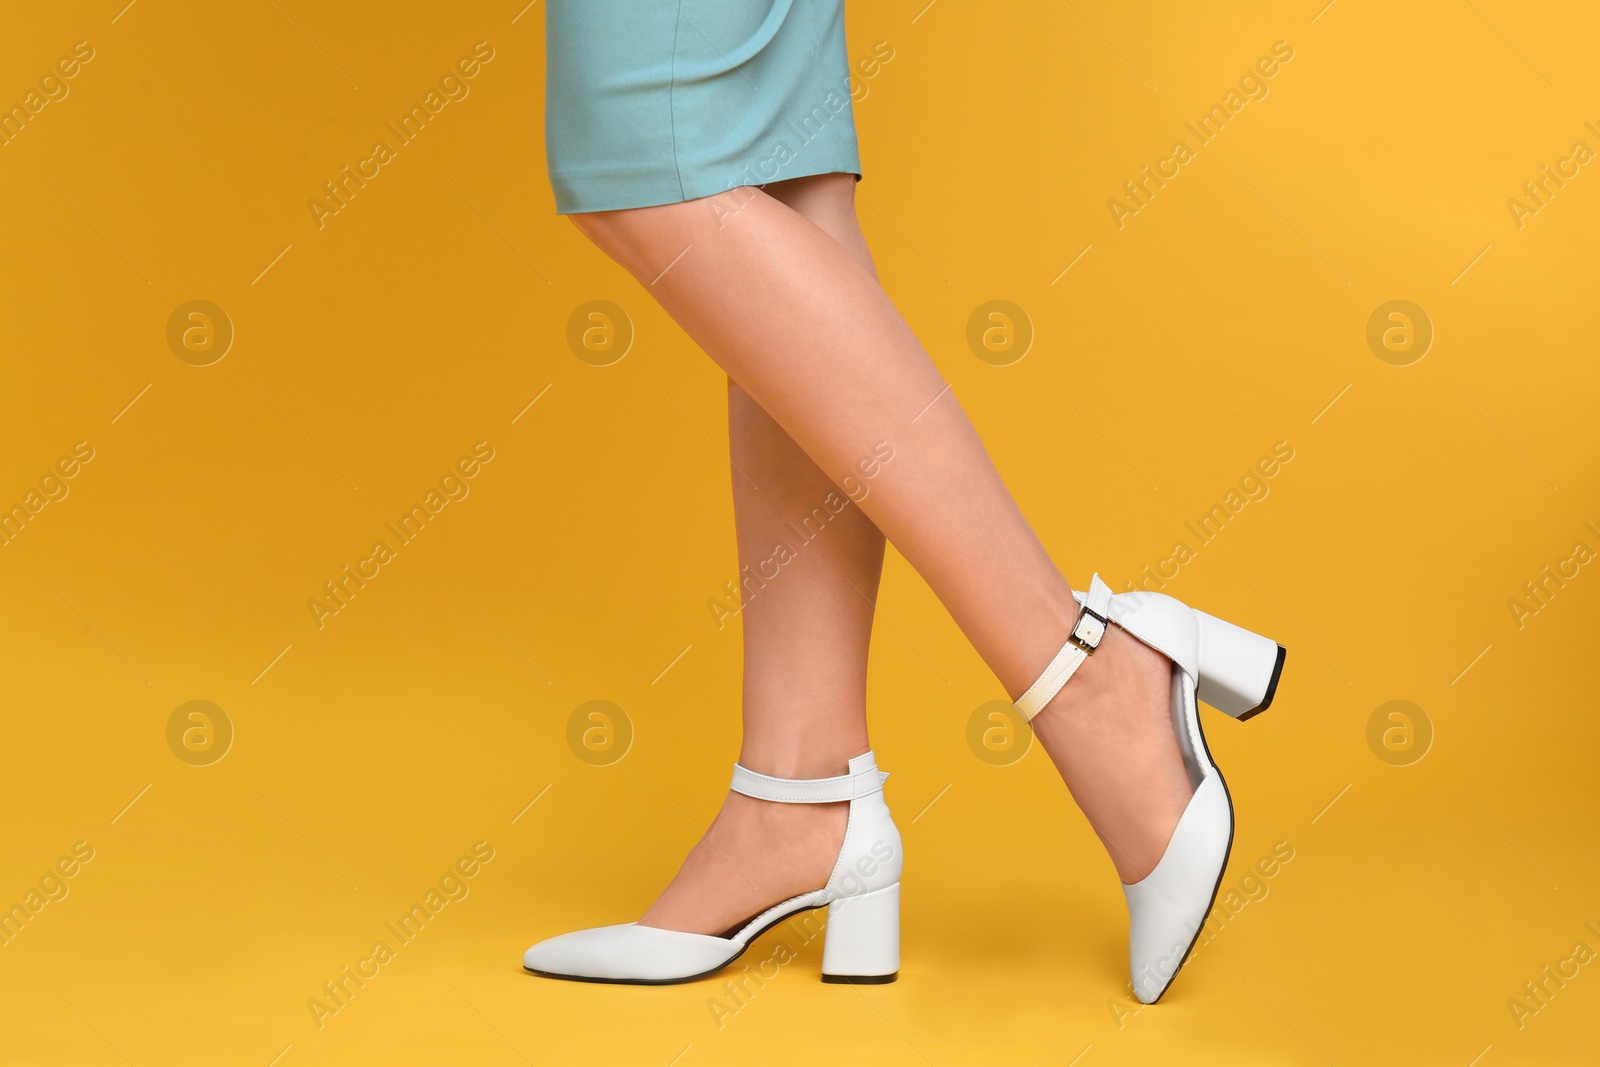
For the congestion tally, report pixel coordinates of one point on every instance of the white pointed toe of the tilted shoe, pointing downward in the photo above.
(1169, 908)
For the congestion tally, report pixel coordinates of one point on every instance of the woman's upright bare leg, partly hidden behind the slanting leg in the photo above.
(807, 623)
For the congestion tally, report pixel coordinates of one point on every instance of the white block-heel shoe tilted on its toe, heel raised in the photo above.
(1236, 673)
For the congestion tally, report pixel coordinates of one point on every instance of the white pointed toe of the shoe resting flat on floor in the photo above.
(630, 954)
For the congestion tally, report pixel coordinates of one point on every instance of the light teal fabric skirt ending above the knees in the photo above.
(662, 102)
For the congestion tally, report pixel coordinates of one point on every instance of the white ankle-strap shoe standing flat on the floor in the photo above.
(862, 941)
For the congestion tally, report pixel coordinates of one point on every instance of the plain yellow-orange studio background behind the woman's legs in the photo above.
(426, 716)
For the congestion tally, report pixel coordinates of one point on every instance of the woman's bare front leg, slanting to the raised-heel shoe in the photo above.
(804, 327)
